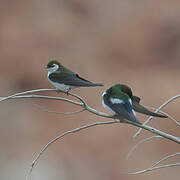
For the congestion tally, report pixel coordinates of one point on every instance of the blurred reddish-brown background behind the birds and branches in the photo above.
(119, 41)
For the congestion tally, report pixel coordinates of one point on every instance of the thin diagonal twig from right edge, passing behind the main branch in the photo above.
(157, 110)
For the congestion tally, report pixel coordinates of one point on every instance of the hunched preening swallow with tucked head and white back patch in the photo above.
(119, 99)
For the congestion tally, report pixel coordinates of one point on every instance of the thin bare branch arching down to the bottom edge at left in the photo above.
(62, 135)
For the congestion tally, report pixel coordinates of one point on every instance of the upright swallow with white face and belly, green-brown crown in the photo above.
(64, 79)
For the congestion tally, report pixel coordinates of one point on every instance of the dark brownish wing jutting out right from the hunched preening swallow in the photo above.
(141, 109)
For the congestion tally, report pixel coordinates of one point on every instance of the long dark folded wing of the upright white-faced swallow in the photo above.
(72, 80)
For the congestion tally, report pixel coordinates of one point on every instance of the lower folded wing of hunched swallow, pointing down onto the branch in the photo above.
(123, 109)
